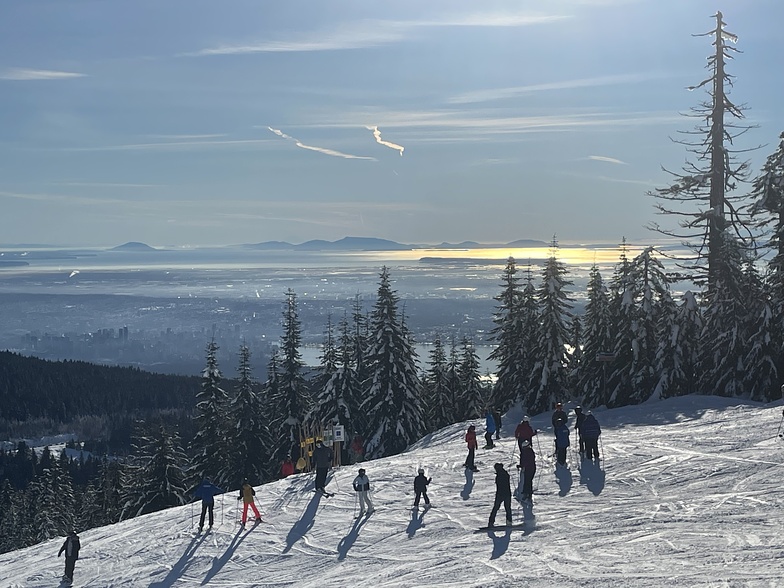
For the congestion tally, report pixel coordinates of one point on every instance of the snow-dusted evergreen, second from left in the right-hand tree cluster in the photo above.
(550, 377)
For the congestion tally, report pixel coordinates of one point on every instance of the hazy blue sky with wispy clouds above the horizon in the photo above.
(196, 123)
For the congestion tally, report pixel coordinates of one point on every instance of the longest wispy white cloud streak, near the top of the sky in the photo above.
(373, 33)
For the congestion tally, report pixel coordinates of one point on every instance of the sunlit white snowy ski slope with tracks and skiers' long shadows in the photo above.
(688, 494)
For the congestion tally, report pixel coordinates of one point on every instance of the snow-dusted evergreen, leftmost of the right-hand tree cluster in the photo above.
(508, 335)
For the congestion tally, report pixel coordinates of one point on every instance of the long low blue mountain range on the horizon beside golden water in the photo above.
(373, 244)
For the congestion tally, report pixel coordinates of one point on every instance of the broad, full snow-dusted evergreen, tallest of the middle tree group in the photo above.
(392, 402)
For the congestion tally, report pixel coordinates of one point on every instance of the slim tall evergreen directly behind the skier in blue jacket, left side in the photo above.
(209, 444)
